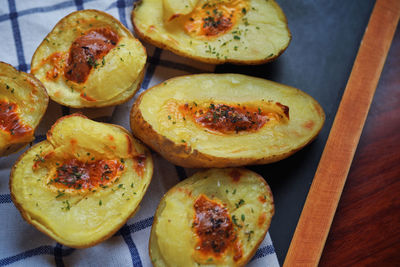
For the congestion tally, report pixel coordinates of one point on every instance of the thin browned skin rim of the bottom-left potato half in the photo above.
(29, 216)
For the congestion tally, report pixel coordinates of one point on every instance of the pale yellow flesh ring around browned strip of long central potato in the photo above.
(304, 123)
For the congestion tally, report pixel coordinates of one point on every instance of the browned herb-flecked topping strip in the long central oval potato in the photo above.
(226, 118)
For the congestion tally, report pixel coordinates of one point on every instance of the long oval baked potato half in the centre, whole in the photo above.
(225, 120)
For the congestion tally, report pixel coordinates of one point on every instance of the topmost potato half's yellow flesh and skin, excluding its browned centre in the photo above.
(253, 39)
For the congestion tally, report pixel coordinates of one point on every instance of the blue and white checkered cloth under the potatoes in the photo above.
(23, 25)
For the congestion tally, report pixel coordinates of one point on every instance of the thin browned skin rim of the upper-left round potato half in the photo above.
(119, 99)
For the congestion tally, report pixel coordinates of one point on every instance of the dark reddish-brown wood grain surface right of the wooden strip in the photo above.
(366, 227)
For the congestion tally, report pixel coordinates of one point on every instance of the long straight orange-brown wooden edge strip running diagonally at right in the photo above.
(316, 218)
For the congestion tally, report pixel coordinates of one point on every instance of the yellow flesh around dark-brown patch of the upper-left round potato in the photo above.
(109, 81)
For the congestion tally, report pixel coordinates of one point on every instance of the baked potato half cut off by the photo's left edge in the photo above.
(23, 102)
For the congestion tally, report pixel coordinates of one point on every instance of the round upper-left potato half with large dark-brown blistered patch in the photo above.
(89, 59)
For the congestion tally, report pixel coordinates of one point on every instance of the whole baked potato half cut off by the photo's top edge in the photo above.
(214, 31)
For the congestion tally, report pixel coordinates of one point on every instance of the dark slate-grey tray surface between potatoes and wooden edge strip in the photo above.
(325, 39)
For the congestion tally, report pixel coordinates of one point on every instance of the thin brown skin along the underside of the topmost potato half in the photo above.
(211, 60)
